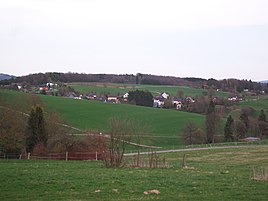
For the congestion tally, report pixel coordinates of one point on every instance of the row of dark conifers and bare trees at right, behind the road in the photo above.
(246, 125)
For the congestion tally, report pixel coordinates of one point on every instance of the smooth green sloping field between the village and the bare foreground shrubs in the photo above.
(163, 126)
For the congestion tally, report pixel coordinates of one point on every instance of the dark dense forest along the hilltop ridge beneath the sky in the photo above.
(229, 85)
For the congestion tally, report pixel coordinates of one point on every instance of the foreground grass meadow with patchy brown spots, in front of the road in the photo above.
(223, 174)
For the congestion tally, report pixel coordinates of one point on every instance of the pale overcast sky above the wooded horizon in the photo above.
(184, 38)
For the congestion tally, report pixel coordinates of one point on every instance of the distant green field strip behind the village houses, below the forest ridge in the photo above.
(123, 88)
